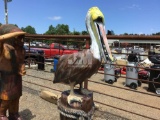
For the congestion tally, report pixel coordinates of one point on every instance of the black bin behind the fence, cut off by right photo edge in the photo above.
(154, 77)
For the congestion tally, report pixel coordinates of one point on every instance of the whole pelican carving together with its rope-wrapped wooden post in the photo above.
(75, 68)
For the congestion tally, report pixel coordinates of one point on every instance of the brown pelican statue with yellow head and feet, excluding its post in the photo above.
(73, 69)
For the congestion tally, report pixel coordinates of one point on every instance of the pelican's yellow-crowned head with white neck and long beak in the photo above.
(95, 24)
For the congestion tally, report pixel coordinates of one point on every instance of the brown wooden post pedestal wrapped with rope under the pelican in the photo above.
(77, 110)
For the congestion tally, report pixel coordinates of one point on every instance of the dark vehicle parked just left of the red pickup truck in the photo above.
(33, 56)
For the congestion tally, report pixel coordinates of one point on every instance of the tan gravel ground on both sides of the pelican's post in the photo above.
(116, 101)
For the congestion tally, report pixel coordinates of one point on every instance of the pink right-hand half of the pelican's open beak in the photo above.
(104, 42)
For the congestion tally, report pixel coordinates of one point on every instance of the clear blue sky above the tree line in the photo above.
(121, 16)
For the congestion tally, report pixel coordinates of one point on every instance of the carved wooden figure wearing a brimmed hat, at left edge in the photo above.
(11, 70)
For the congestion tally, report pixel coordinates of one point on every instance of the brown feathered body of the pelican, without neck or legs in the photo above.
(76, 67)
